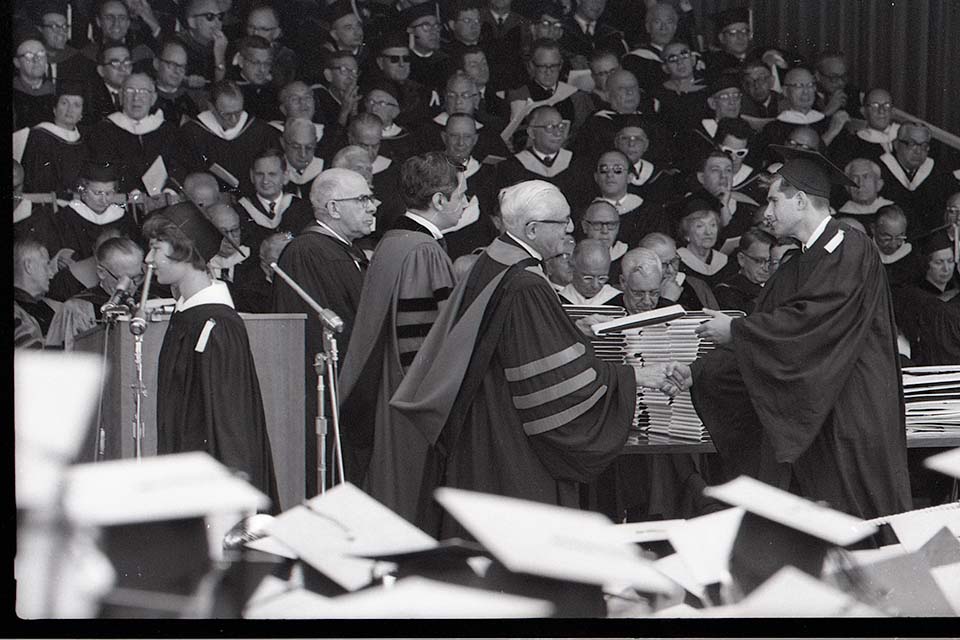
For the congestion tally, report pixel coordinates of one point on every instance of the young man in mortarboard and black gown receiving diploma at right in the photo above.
(806, 392)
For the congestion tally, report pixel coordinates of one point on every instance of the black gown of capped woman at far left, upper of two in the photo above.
(51, 163)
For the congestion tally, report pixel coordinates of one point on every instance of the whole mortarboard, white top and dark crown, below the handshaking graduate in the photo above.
(780, 529)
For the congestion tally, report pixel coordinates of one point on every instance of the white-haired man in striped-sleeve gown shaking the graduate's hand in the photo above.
(506, 388)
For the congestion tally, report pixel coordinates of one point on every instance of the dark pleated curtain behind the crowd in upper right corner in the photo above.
(910, 47)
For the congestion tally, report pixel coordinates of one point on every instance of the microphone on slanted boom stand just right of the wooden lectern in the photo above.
(324, 363)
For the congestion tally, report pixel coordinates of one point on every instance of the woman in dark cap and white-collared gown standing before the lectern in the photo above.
(208, 393)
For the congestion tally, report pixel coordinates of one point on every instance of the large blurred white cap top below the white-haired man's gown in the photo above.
(552, 542)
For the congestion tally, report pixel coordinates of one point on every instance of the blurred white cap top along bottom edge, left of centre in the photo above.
(408, 598)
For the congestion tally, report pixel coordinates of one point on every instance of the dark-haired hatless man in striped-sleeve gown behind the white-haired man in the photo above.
(409, 278)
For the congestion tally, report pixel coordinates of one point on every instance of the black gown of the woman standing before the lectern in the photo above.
(208, 395)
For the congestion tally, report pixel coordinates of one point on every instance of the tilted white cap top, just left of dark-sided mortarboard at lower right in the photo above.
(704, 544)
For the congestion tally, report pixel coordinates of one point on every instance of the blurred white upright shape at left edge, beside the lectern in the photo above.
(55, 396)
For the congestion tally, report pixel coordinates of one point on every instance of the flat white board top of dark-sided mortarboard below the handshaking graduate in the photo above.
(791, 510)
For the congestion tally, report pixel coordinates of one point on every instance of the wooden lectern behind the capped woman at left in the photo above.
(276, 341)
